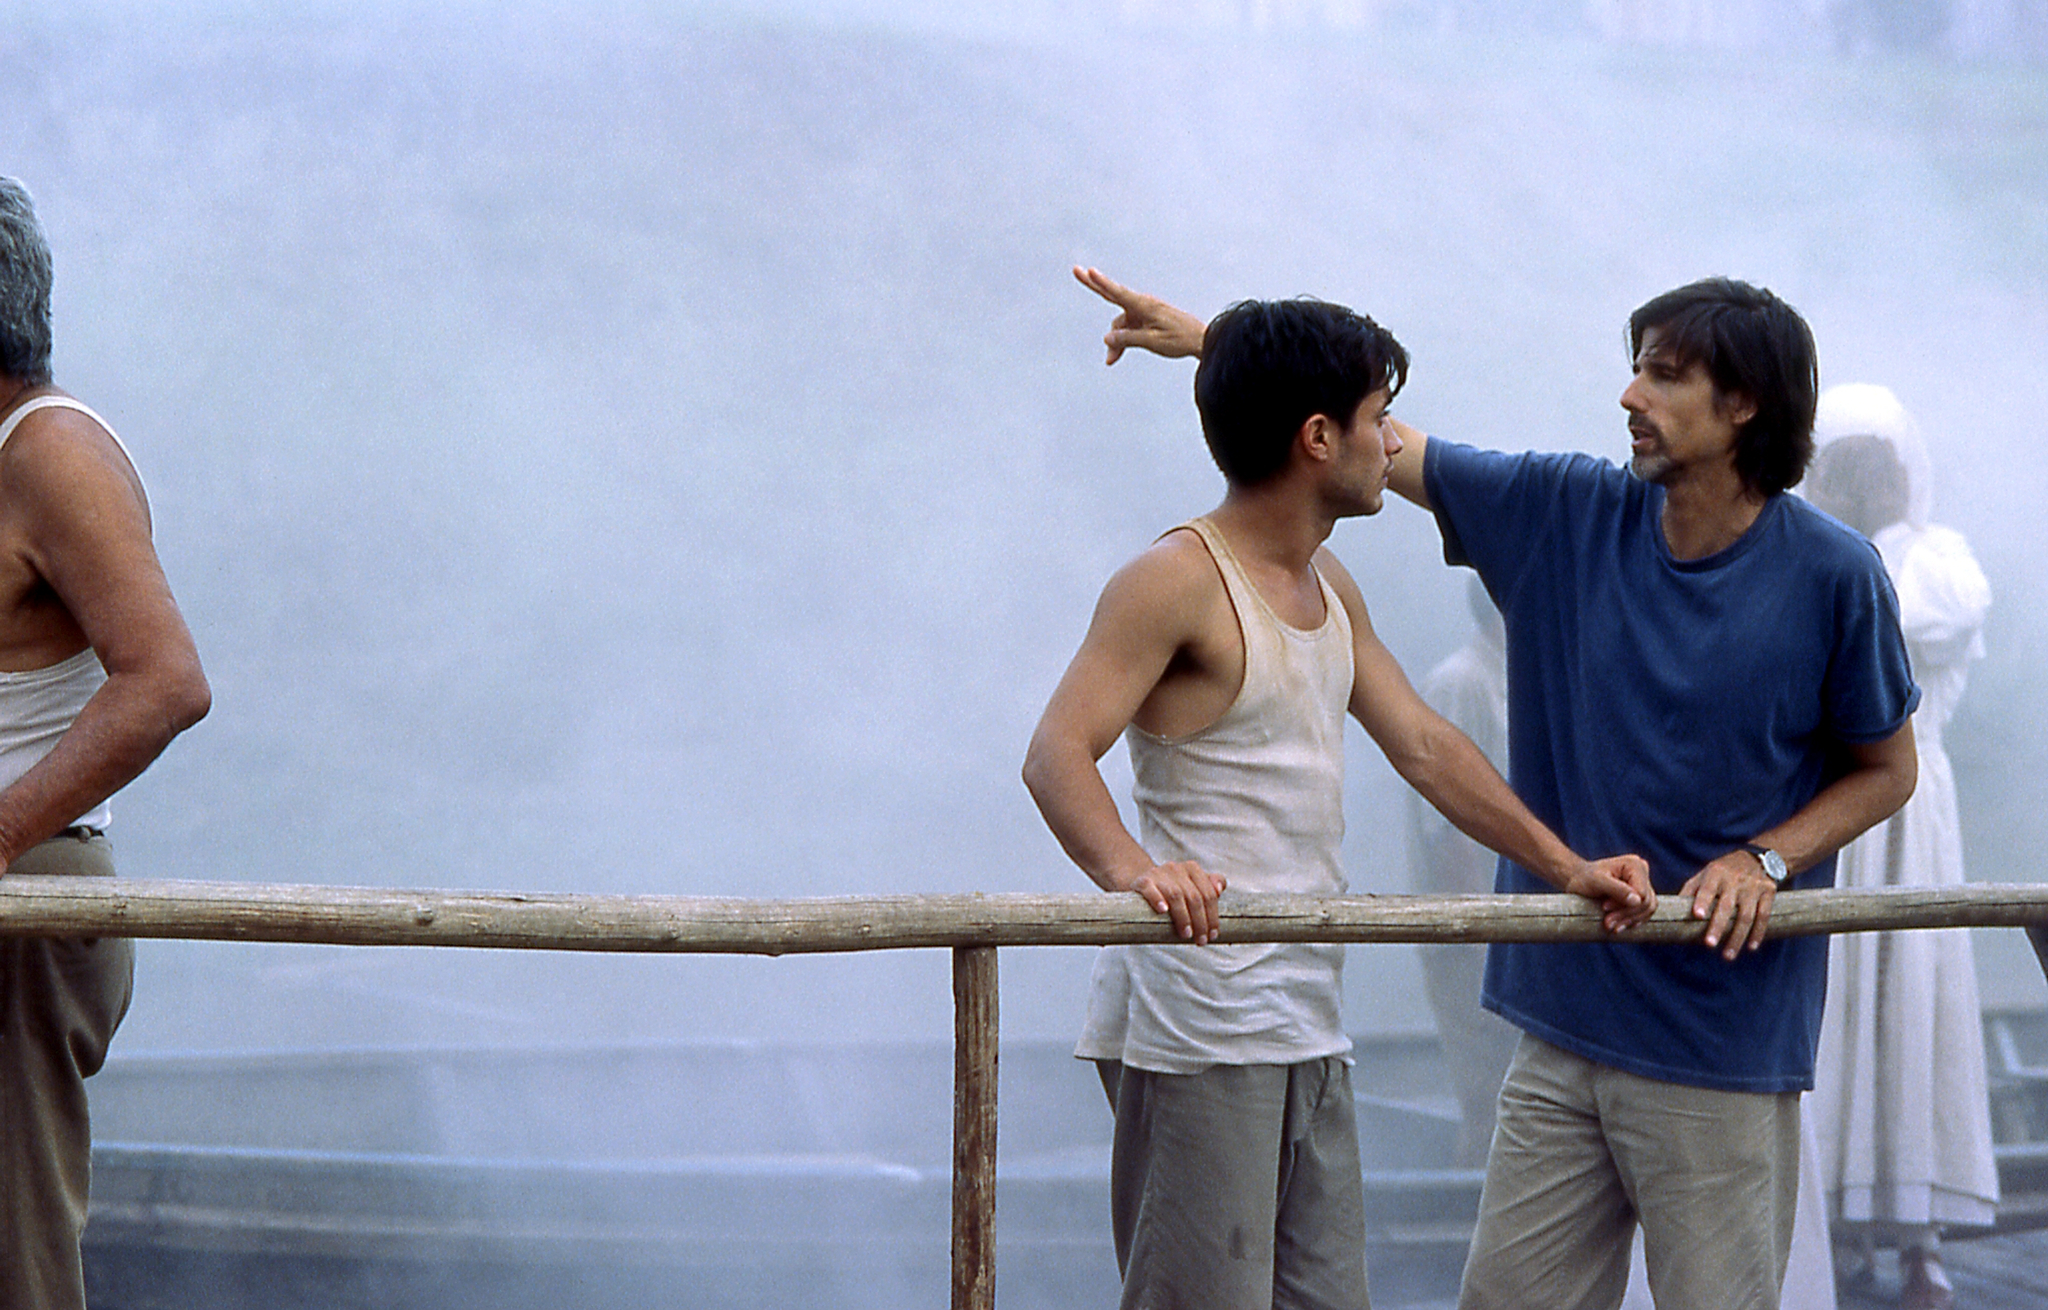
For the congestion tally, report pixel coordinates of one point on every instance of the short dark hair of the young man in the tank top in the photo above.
(1269, 367)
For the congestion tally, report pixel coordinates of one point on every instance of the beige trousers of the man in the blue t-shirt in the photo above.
(1582, 1153)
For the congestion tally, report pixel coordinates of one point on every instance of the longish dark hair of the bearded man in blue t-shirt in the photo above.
(1750, 345)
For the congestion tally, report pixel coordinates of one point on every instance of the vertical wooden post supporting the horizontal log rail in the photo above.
(974, 1127)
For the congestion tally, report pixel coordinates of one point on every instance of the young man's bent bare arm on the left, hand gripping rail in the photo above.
(1142, 623)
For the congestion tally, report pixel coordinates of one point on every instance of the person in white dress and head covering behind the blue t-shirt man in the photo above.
(1900, 1104)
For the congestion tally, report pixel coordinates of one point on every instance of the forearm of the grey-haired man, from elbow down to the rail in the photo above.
(122, 730)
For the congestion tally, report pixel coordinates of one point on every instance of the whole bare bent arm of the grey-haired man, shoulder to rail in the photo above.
(87, 533)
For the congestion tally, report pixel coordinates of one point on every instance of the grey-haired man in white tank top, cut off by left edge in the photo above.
(97, 676)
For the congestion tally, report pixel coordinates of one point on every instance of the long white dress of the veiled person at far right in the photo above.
(1900, 1108)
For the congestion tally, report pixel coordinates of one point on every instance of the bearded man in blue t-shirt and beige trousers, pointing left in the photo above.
(1711, 674)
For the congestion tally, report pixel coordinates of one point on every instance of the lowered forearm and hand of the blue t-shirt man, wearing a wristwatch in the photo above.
(1736, 896)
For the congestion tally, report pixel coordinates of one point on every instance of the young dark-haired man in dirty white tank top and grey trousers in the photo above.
(1228, 656)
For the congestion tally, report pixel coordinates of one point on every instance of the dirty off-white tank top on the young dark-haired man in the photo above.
(1256, 797)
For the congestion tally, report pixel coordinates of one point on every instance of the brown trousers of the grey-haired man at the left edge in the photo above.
(60, 1002)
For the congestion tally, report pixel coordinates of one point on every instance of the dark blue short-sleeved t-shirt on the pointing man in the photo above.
(1672, 709)
